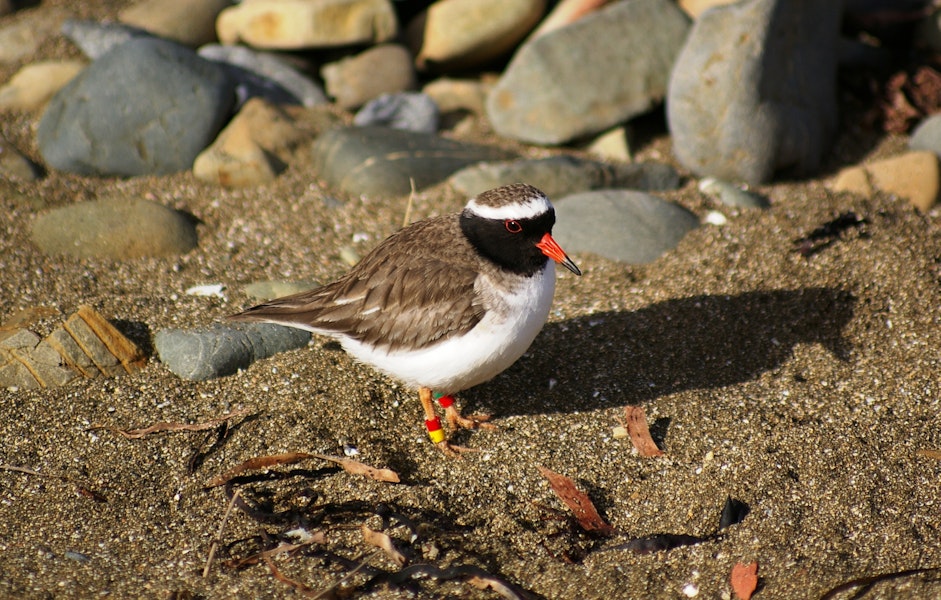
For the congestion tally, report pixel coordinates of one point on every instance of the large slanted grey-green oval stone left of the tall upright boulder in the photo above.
(595, 73)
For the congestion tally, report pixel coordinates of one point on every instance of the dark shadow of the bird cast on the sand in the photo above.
(610, 359)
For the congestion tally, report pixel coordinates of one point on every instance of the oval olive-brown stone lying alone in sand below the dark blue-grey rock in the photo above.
(115, 228)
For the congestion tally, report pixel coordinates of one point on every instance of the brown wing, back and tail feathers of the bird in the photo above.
(410, 291)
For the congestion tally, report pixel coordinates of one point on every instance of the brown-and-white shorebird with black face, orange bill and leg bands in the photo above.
(443, 304)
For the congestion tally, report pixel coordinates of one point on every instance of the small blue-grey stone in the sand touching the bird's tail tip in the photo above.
(223, 349)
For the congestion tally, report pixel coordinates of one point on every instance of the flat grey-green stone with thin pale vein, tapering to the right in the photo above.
(382, 162)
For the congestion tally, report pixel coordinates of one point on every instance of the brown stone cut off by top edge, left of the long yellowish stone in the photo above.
(189, 22)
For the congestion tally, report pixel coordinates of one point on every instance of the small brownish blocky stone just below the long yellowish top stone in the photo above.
(355, 80)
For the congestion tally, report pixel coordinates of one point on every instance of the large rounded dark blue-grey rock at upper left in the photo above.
(146, 107)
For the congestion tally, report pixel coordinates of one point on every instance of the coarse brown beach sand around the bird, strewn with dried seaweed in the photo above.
(806, 387)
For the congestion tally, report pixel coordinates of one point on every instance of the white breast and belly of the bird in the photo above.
(513, 319)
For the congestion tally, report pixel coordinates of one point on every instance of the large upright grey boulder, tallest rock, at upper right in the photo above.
(754, 89)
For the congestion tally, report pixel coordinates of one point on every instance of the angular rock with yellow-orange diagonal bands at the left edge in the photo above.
(85, 346)
